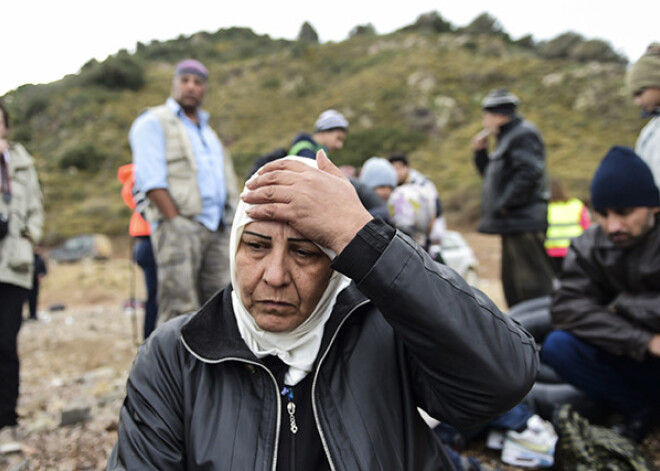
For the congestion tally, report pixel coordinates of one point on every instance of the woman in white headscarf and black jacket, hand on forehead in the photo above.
(334, 330)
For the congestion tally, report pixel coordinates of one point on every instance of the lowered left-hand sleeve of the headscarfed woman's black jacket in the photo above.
(150, 433)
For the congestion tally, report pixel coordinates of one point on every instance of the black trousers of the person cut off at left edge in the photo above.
(12, 299)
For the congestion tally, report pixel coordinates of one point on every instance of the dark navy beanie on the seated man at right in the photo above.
(623, 180)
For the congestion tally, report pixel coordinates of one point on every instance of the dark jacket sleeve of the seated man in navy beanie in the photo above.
(583, 306)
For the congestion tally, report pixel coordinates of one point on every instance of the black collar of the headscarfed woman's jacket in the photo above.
(212, 335)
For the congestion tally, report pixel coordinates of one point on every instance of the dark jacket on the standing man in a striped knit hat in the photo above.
(515, 195)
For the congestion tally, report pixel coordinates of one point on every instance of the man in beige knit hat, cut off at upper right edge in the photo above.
(644, 85)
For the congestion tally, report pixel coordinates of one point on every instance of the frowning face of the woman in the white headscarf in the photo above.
(281, 275)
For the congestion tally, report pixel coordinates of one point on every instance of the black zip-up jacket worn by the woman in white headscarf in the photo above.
(409, 333)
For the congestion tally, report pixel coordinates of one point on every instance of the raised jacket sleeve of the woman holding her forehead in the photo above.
(468, 360)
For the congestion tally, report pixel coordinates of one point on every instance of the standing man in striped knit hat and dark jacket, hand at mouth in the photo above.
(515, 196)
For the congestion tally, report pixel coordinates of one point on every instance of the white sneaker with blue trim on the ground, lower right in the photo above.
(533, 447)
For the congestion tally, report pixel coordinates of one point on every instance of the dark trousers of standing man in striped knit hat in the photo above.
(526, 269)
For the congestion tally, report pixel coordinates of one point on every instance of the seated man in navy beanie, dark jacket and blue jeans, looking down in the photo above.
(607, 307)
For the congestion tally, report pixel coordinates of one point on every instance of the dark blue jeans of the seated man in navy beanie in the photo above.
(629, 386)
